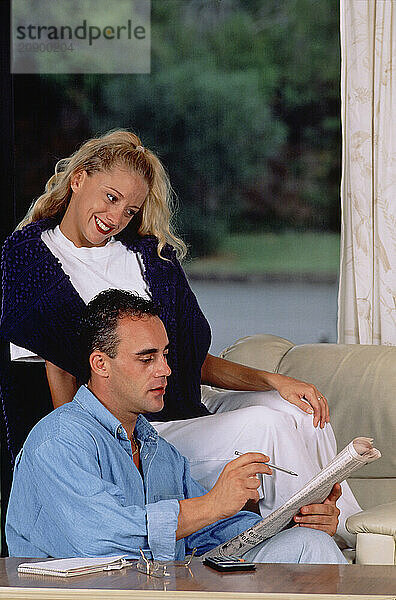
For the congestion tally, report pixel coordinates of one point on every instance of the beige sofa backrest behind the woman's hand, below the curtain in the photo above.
(359, 383)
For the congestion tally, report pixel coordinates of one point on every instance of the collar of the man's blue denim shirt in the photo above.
(89, 402)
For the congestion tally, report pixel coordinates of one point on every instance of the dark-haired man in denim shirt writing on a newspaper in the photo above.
(95, 479)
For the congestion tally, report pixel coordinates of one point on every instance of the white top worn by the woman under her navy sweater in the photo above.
(92, 270)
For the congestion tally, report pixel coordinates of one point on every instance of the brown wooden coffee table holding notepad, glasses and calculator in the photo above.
(197, 582)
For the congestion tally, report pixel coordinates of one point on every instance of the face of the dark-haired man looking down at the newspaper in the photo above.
(137, 375)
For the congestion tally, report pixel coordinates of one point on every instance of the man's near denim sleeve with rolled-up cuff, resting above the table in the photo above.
(92, 513)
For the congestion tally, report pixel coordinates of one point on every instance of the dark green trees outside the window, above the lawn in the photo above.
(242, 105)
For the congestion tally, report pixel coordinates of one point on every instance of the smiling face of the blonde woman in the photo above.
(102, 204)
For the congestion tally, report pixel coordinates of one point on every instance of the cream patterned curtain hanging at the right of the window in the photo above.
(367, 296)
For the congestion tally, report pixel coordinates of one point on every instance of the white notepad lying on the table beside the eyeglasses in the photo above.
(69, 567)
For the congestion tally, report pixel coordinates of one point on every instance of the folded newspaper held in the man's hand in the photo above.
(356, 454)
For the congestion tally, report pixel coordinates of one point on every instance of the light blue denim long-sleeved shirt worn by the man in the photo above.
(77, 492)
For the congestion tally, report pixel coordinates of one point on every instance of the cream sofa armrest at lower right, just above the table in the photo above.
(376, 534)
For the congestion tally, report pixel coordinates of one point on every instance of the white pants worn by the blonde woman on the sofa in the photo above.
(264, 422)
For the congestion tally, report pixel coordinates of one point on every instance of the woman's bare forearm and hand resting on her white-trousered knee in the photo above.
(232, 376)
